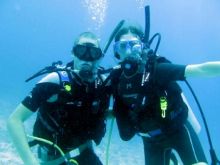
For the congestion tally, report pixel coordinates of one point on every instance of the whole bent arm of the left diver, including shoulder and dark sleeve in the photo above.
(22, 113)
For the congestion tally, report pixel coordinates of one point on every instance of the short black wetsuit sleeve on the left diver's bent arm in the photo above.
(40, 94)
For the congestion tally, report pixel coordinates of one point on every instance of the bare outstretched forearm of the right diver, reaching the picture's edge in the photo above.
(208, 69)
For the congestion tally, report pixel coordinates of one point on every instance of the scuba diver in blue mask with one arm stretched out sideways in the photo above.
(149, 102)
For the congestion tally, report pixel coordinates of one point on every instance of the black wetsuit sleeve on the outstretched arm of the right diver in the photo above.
(166, 72)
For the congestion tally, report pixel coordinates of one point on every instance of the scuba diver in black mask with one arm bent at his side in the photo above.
(70, 106)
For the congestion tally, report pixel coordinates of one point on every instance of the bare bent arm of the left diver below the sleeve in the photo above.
(17, 132)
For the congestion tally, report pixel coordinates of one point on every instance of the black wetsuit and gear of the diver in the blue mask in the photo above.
(137, 107)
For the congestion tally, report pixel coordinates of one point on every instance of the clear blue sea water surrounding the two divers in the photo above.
(33, 34)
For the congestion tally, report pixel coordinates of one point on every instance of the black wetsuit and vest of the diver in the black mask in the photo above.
(74, 118)
